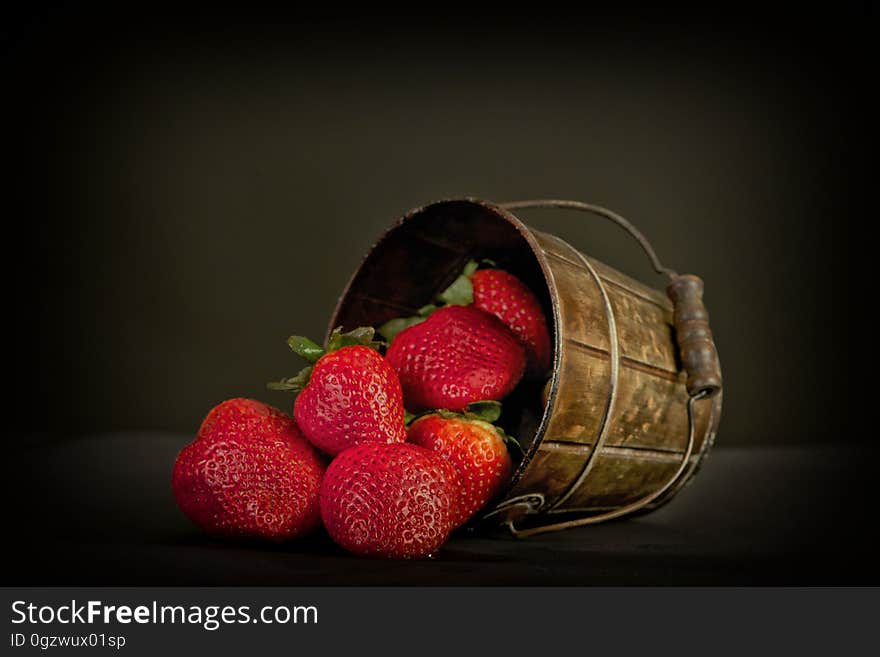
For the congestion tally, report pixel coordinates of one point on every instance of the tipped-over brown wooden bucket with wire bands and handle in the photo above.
(633, 403)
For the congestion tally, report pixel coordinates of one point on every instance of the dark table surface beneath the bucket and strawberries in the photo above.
(99, 511)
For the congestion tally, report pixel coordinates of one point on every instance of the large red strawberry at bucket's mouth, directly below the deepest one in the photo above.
(456, 356)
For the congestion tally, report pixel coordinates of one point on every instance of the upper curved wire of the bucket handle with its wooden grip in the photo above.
(696, 346)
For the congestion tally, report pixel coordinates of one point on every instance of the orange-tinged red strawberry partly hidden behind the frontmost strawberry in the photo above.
(475, 447)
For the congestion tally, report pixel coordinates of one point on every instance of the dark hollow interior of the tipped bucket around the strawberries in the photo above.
(422, 254)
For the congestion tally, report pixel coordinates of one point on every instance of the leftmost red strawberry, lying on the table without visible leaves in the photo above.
(249, 474)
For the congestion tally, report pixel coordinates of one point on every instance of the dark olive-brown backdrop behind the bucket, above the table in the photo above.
(192, 185)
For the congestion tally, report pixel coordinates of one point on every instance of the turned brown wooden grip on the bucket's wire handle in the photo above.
(698, 354)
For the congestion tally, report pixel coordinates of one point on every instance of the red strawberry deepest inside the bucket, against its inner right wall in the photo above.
(505, 296)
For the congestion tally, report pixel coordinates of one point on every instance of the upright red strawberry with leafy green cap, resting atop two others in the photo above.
(350, 396)
